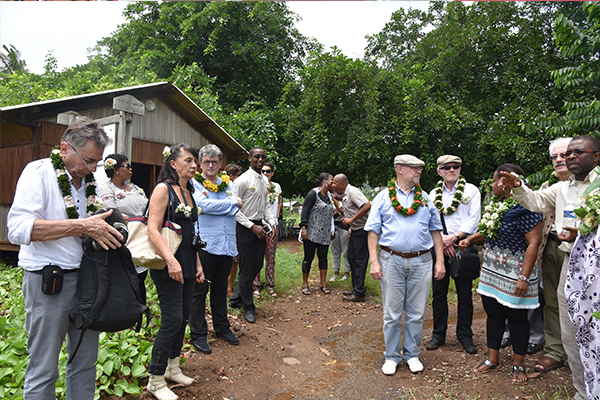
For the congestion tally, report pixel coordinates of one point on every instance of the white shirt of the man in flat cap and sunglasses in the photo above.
(466, 217)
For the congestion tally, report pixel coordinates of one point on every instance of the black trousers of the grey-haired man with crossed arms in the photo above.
(216, 269)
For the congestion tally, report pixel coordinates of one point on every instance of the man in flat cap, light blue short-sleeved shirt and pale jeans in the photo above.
(406, 225)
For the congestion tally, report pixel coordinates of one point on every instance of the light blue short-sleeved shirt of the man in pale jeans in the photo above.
(400, 233)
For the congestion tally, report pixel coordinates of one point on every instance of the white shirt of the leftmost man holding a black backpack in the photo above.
(38, 197)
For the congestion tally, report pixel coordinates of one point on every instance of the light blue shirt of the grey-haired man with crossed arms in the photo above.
(216, 224)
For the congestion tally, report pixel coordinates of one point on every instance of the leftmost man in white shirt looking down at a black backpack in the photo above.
(48, 219)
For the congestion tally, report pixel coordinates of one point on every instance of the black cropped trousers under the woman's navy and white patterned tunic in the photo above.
(518, 325)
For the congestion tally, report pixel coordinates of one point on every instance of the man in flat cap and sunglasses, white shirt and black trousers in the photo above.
(459, 205)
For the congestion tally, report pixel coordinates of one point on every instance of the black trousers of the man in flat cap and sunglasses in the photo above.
(464, 289)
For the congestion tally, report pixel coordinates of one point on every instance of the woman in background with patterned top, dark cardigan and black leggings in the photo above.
(317, 229)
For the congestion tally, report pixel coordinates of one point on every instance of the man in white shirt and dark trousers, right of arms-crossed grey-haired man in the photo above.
(254, 223)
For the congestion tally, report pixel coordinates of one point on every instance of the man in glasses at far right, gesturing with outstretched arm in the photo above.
(581, 157)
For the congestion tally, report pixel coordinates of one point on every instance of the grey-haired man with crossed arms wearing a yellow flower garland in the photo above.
(216, 196)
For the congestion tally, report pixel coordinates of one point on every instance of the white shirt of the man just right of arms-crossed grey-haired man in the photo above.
(252, 189)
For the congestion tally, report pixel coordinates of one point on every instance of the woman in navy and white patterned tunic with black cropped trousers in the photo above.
(508, 282)
